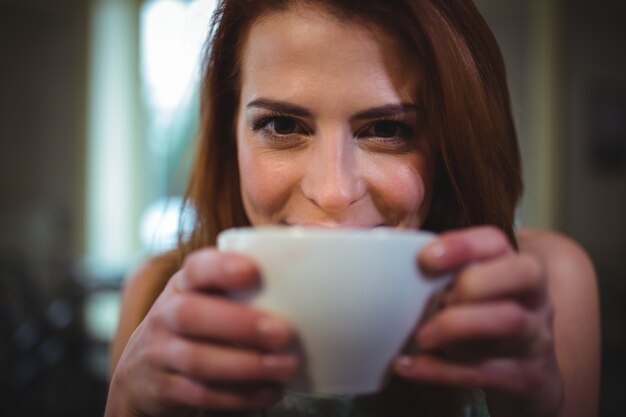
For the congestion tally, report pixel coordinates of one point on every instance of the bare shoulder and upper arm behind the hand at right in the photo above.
(573, 289)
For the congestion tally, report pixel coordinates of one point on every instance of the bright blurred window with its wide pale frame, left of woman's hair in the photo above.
(144, 74)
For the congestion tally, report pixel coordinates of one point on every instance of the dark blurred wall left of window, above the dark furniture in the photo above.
(42, 130)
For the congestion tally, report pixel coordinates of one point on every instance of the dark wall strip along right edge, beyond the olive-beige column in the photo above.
(594, 173)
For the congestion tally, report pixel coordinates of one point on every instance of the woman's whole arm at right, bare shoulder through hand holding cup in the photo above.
(523, 325)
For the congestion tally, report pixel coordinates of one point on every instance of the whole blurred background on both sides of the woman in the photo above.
(98, 107)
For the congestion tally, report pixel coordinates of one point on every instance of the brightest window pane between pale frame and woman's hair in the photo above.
(172, 36)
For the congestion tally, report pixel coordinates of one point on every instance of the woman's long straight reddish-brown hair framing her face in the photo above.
(477, 169)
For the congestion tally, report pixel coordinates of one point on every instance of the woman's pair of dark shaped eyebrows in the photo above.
(372, 113)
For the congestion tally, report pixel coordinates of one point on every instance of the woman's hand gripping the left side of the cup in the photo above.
(197, 349)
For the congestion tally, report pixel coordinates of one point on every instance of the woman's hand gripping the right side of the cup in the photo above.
(494, 330)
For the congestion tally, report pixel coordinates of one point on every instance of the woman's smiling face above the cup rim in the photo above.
(330, 131)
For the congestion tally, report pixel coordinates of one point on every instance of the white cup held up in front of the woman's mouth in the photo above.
(352, 295)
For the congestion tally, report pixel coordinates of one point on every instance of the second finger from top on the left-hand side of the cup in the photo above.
(214, 318)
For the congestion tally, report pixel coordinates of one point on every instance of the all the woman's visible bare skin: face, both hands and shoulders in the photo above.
(313, 152)
